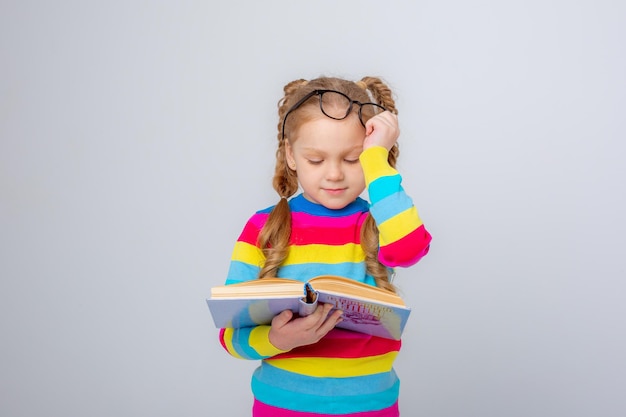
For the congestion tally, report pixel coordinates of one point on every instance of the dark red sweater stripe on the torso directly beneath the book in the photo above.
(339, 343)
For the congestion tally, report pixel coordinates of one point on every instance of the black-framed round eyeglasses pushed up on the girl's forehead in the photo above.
(337, 105)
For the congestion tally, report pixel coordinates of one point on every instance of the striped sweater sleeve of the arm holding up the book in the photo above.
(248, 342)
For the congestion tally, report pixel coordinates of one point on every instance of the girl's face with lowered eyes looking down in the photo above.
(325, 154)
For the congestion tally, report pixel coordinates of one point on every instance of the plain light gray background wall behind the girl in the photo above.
(137, 138)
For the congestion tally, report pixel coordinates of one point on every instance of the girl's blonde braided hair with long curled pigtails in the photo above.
(274, 237)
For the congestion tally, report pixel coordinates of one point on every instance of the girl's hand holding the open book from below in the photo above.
(288, 333)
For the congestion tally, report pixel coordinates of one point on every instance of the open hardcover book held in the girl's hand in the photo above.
(366, 309)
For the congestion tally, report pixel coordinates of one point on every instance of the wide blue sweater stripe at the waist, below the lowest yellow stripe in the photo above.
(324, 395)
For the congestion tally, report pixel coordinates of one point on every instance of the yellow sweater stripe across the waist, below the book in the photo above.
(336, 367)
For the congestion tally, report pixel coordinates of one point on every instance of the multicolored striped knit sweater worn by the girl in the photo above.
(345, 373)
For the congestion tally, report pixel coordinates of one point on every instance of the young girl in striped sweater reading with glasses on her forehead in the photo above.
(336, 138)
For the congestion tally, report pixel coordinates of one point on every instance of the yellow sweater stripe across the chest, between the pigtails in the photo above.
(349, 252)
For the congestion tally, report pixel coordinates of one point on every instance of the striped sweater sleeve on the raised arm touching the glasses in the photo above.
(403, 239)
